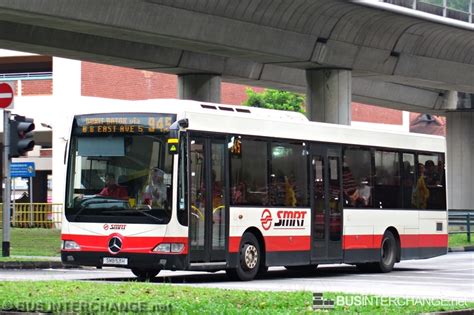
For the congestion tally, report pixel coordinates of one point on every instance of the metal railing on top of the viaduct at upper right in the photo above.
(455, 9)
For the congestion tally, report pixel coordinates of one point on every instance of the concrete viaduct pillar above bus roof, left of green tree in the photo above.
(200, 87)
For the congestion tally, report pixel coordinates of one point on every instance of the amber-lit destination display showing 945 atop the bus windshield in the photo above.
(105, 124)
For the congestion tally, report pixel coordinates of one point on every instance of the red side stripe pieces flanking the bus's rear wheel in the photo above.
(406, 241)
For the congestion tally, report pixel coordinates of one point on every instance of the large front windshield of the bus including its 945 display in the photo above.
(119, 169)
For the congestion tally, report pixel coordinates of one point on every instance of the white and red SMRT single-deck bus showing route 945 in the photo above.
(208, 187)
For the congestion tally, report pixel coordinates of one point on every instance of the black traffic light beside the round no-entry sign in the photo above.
(21, 136)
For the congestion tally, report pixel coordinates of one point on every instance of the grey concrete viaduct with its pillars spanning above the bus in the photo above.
(335, 51)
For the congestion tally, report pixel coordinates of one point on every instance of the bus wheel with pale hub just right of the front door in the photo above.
(249, 259)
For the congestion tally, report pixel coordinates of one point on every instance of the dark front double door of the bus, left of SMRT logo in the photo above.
(207, 221)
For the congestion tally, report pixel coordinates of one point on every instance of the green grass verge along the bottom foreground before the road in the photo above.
(93, 297)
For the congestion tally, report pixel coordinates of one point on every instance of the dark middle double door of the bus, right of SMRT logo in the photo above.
(326, 195)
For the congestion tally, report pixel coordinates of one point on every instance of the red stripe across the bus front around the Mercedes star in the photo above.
(130, 244)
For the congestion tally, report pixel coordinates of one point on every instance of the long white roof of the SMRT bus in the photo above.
(243, 120)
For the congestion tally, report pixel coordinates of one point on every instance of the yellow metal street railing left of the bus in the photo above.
(35, 215)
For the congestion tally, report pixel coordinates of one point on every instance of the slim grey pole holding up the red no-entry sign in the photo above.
(6, 183)
